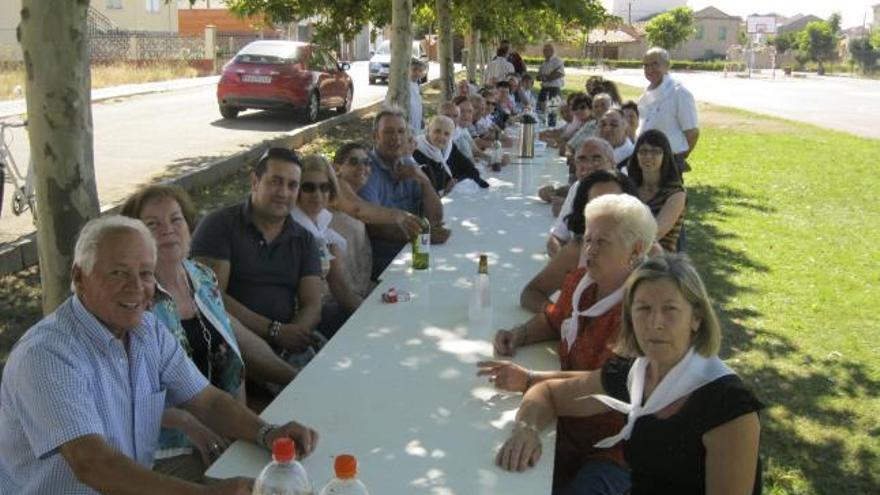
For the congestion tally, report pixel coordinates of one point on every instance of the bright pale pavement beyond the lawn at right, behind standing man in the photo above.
(850, 105)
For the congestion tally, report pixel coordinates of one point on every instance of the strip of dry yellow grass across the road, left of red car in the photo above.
(106, 75)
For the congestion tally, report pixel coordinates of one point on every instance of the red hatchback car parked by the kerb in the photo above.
(278, 75)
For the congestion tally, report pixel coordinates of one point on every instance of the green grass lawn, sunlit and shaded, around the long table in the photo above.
(782, 222)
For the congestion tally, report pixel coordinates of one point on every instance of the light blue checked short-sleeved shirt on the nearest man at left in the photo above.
(69, 377)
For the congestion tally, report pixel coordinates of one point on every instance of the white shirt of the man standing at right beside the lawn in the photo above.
(669, 108)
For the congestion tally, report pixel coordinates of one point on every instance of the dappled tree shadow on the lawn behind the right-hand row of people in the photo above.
(802, 394)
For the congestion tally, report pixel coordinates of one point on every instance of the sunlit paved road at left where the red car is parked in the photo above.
(141, 137)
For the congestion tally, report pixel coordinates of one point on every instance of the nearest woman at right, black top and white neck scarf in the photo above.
(692, 425)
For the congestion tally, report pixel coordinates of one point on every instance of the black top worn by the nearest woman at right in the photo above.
(667, 455)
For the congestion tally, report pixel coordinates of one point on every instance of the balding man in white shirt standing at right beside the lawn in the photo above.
(668, 107)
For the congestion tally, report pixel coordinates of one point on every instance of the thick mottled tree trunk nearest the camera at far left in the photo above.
(53, 39)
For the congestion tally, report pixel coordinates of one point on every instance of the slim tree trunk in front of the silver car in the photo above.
(401, 54)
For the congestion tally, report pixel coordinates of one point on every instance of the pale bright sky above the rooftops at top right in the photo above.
(851, 10)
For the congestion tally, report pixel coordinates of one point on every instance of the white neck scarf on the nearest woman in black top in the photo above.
(691, 373)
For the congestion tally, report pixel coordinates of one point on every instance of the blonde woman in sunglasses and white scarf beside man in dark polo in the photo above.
(318, 189)
